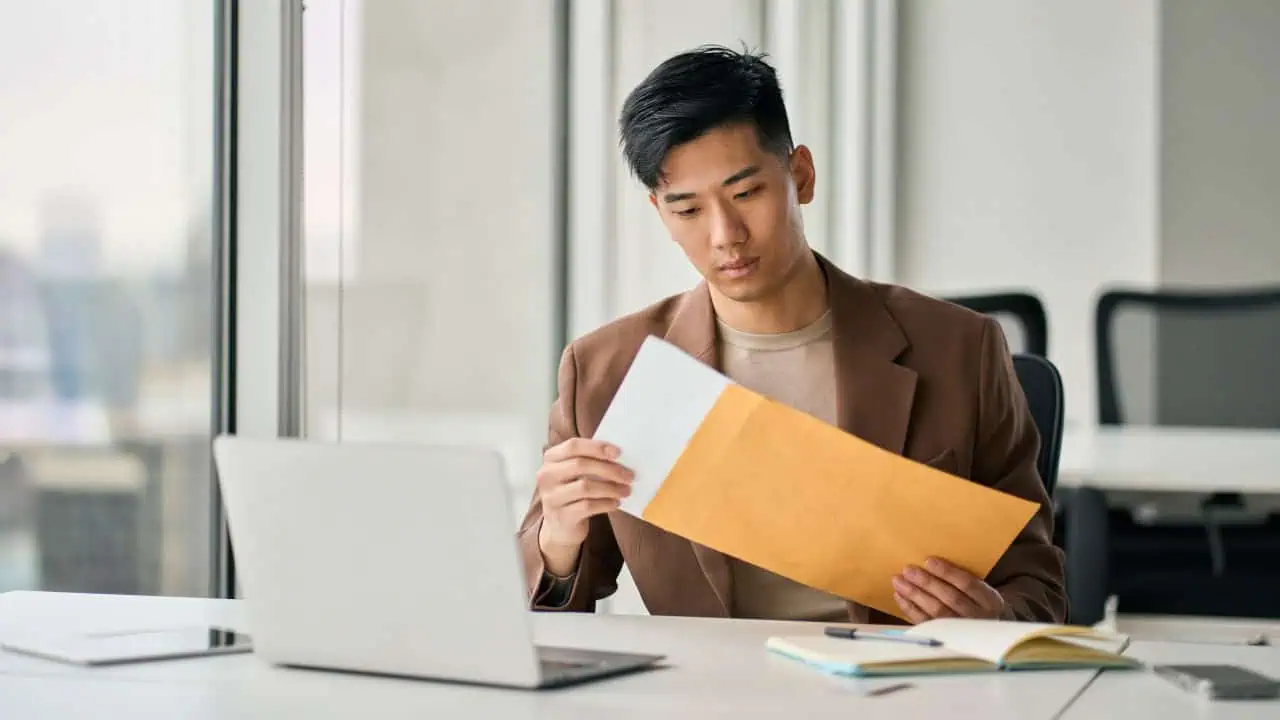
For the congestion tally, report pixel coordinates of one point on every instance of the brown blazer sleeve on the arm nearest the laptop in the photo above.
(601, 560)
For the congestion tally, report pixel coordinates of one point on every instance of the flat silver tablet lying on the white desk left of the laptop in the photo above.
(120, 648)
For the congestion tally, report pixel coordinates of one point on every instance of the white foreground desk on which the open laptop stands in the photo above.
(716, 669)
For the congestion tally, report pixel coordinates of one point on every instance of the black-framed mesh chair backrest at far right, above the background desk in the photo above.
(1190, 358)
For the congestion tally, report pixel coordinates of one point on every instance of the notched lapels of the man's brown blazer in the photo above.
(874, 394)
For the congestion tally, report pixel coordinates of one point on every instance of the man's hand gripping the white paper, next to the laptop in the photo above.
(578, 481)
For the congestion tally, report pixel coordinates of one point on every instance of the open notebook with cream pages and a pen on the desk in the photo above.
(968, 646)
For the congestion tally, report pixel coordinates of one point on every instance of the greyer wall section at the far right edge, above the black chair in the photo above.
(1220, 143)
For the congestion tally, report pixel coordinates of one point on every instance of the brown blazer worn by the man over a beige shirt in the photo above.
(916, 376)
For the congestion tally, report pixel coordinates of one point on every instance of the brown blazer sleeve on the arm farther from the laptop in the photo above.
(1031, 573)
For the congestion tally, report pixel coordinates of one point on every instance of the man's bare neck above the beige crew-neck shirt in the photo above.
(798, 304)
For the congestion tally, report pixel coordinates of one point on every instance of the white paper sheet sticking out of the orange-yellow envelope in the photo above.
(661, 403)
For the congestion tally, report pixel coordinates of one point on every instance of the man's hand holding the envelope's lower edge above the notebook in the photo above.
(941, 590)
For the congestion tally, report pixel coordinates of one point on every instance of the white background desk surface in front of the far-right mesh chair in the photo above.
(1133, 458)
